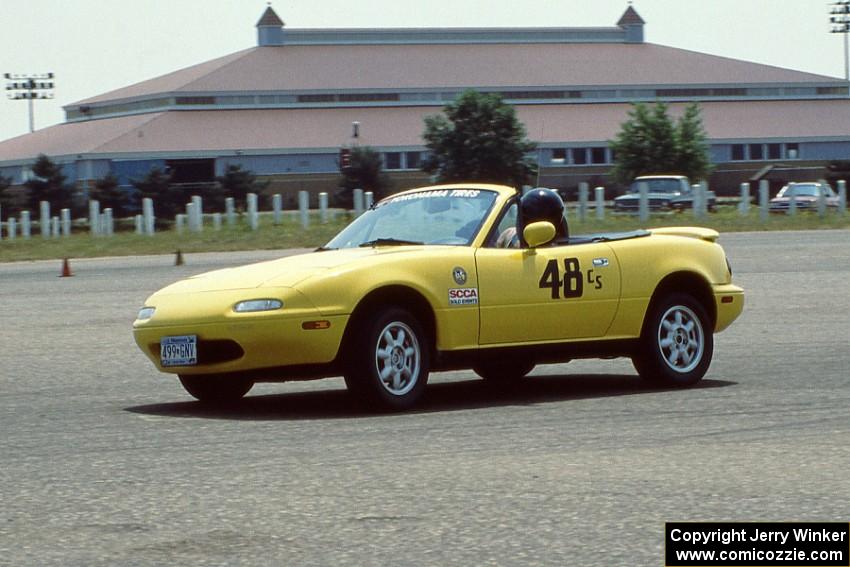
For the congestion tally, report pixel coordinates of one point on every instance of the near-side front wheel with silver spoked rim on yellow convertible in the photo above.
(388, 360)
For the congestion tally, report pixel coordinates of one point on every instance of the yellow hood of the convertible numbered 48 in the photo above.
(284, 272)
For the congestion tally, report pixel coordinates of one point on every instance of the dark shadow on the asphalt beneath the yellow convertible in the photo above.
(440, 397)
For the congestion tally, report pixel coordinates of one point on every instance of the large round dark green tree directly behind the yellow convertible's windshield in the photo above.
(478, 138)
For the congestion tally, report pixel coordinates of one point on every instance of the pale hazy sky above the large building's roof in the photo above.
(94, 46)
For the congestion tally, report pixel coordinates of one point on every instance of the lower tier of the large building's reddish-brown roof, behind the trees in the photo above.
(214, 132)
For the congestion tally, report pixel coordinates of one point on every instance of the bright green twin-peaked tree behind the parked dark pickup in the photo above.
(650, 142)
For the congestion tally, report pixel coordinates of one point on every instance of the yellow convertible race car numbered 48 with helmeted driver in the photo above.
(447, 277)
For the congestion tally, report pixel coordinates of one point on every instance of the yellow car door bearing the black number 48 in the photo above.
(546, 294)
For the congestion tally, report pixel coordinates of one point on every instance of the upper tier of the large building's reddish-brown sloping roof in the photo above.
(314, 68)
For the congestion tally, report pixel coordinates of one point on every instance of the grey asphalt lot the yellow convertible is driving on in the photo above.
(105, 461)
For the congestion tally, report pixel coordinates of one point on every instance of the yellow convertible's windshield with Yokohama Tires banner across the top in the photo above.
(435, 216)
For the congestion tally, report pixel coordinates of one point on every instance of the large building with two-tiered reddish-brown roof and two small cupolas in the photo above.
(284, 108)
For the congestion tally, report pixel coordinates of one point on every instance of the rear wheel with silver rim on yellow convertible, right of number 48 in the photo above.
(677, 342)
